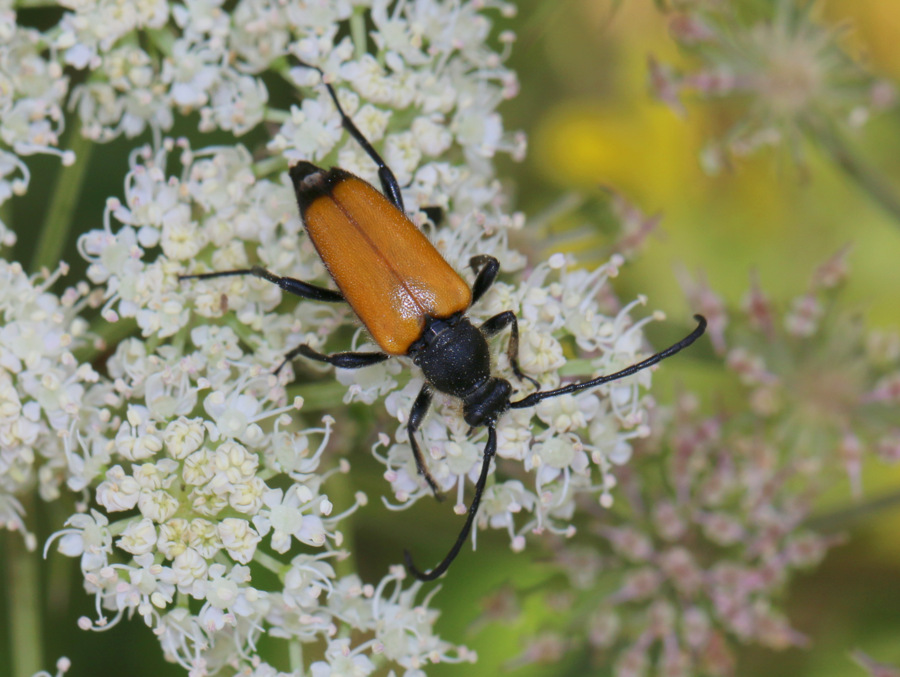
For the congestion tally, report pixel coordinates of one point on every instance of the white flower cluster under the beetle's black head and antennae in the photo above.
(554, 444)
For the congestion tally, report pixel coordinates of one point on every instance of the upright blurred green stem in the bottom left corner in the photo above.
(25, 638)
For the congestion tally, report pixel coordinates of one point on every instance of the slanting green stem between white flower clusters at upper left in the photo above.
(69, 182)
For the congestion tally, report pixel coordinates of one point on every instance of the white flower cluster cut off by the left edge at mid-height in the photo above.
(42, 390)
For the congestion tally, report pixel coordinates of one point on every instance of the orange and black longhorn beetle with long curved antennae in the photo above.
(413, 304)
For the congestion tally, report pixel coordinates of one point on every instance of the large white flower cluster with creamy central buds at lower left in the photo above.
(195, 500)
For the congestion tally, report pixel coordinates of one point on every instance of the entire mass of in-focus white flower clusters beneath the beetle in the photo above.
(184, 446)
